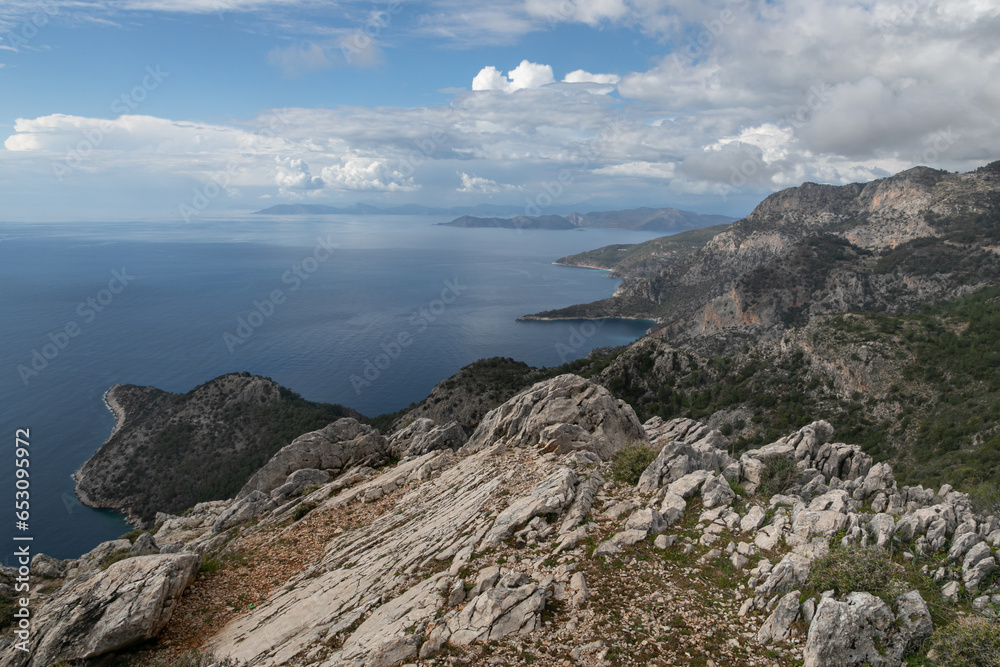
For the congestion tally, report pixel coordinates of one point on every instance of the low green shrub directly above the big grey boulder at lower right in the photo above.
(854, 569)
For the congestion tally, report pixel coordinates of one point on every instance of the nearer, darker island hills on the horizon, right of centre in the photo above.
(637, 219)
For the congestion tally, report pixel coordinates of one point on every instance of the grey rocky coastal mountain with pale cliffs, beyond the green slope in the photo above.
(921, 234)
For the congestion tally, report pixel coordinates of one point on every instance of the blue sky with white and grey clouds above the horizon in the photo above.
(175, 109)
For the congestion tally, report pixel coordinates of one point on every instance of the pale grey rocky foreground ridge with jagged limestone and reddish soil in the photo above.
(518, 547)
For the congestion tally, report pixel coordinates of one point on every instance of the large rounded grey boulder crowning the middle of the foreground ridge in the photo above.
(567, 399)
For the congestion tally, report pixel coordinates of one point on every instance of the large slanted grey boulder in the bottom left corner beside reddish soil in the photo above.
(128, 603)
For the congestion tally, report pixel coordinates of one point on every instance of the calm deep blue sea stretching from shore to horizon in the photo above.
(370, 312)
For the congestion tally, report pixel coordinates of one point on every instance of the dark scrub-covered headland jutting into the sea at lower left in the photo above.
(162, 444)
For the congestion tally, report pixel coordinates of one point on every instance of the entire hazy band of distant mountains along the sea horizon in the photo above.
(506, 216)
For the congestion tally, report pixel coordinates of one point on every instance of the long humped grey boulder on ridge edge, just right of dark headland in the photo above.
(335, 447)
